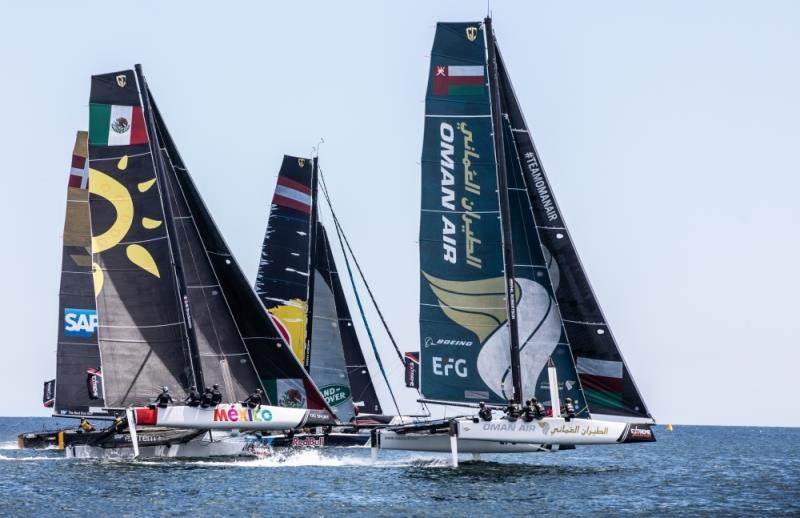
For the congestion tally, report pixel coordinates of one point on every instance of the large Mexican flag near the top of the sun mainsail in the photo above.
(115, 125)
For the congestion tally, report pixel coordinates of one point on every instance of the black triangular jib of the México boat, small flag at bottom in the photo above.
(284, 379)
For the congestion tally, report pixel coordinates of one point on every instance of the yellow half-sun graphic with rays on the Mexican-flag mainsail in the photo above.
(118, 195)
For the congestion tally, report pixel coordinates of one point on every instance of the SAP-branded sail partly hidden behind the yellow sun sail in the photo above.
(78, 368)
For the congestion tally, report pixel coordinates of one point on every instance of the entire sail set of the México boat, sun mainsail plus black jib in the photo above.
(175, 309)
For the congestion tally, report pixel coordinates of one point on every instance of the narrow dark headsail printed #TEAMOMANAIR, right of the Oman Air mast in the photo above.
(607, 382)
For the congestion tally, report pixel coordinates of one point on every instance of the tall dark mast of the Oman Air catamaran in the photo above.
(505, 220)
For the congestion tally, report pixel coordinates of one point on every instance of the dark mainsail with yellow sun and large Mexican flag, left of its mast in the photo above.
(141, 331)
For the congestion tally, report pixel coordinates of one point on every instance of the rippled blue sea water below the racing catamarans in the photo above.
(693, 470)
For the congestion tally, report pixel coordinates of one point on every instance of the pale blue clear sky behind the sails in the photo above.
(668, 130)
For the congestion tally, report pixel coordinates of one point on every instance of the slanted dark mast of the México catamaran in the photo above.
(158, 159)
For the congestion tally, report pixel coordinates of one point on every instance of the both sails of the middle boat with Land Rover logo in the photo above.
(297, 277)
